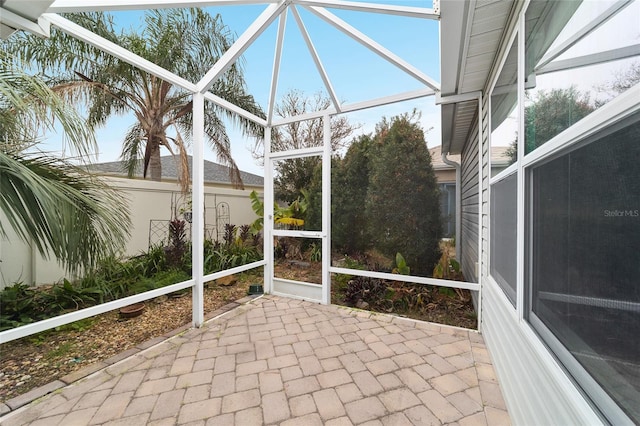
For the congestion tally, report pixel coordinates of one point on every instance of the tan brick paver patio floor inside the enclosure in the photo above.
(289, 362)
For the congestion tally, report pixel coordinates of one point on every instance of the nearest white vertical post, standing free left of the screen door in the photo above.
(197, 198)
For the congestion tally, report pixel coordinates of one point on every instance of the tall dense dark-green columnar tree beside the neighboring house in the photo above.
(403, 200)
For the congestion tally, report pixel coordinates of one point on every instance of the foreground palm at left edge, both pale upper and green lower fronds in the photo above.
(55, 206)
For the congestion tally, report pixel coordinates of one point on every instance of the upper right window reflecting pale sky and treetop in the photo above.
(564, 85)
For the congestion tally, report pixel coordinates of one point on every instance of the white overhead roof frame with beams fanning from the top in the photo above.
(38, 16)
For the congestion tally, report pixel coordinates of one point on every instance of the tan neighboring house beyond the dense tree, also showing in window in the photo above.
(446, 177)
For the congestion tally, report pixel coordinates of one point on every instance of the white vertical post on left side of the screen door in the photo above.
(267, 229)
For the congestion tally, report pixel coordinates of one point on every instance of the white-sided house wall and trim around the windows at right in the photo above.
(538, 389)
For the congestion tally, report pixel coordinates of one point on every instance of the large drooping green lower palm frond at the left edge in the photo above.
(65, 211)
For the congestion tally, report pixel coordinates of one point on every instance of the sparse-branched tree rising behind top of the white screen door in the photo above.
(296, 174)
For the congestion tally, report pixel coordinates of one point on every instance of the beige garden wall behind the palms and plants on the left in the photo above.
(147, 201)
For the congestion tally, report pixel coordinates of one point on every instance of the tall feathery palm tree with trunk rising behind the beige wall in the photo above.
(186, 42)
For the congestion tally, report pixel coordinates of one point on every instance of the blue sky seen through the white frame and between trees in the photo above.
(356, 73)
